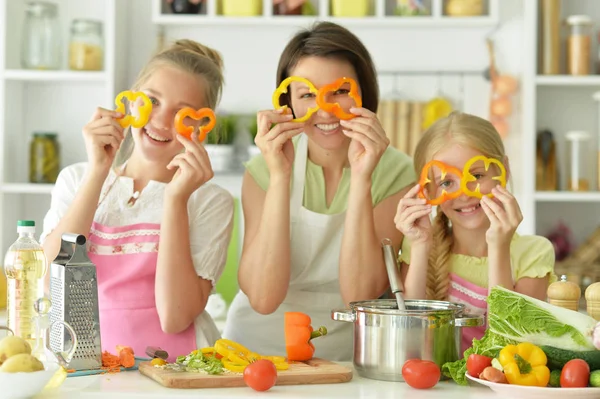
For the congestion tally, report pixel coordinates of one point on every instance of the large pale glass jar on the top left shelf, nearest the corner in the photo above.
(41, 40)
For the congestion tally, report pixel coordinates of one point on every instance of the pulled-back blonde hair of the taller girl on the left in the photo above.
(191, 57)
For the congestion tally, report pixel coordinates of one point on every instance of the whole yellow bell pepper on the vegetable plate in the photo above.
(525, 364)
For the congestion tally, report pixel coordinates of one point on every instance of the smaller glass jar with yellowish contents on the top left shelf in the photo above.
(86, 47)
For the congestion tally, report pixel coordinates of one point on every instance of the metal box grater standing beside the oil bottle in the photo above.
(74, 294)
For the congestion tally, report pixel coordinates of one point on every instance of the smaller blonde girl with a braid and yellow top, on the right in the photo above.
(472, 244)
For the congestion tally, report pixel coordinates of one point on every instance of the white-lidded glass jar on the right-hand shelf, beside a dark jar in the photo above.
(579, 176)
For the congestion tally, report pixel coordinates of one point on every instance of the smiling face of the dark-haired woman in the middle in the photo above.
(322, 127)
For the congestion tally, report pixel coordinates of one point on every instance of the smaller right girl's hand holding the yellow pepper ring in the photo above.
(504, 214)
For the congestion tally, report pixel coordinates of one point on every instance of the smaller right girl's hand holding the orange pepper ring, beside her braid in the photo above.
(412, 217)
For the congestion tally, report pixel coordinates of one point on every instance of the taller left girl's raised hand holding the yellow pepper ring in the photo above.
(103, 136)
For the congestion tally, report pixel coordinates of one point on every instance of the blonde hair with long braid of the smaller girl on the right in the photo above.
(470, 131)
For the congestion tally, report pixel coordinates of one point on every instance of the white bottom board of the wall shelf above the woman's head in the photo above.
(371, 21)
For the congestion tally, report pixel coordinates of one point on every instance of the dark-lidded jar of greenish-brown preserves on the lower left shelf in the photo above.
(44, 158)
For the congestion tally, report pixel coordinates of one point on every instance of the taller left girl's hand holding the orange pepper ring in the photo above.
(194, 169)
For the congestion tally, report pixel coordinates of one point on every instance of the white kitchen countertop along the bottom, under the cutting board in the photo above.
(132, 384)
